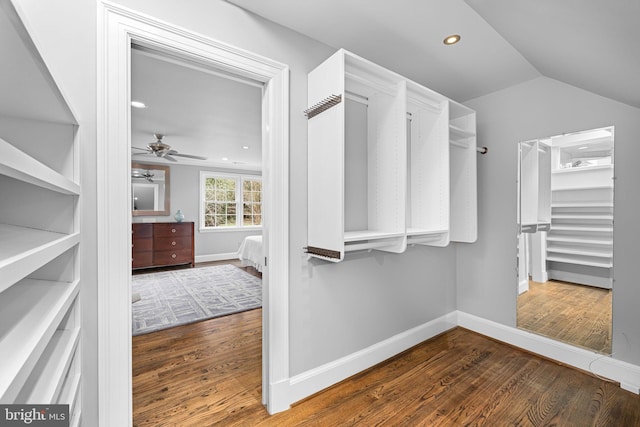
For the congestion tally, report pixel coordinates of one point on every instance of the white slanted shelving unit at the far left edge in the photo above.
(39, 229)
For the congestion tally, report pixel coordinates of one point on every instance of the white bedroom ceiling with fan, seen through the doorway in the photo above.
(199, 112)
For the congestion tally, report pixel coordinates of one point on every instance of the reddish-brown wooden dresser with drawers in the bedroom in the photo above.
(161, 244)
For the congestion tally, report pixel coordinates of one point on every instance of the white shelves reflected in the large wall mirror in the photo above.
(580, 243)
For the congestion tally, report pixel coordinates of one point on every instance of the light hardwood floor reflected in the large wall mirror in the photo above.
(575, 314)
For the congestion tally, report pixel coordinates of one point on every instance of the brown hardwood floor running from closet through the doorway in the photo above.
(209, 373)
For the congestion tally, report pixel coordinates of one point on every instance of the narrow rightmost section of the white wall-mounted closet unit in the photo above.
(463, 174)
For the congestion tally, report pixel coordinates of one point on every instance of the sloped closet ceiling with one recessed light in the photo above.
(592, 44)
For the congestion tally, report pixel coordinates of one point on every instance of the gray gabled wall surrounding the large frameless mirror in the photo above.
(486, 270)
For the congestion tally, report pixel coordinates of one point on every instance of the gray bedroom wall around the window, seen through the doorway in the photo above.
(185, 194)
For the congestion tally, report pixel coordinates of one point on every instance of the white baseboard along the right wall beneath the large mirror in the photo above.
(627, 374)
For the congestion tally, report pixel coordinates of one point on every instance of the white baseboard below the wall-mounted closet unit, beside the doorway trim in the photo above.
(314, 380)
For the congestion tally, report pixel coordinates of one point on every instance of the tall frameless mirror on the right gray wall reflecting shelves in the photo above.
(565, 238)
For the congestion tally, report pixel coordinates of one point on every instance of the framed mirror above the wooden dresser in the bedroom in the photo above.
(150, 190)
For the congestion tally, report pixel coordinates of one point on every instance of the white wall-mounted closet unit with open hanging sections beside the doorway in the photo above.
(379, 161)
